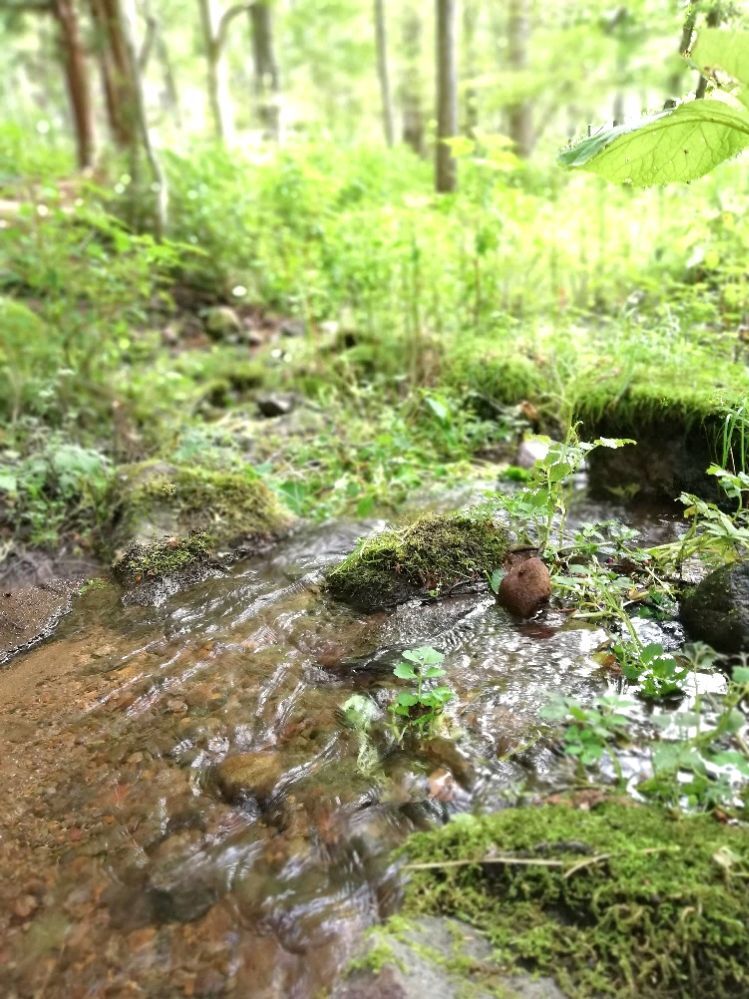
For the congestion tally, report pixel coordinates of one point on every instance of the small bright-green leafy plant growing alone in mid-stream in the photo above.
(419, 709)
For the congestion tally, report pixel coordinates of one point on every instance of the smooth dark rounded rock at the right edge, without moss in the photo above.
(717, 610)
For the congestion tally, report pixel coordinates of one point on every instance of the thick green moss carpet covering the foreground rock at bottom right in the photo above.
(643, 902)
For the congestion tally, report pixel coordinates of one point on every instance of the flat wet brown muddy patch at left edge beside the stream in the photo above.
(30, 614)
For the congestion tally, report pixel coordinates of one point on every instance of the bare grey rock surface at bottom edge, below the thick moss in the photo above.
(436, 957)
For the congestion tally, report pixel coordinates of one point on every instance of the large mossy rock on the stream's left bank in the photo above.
(170, 519)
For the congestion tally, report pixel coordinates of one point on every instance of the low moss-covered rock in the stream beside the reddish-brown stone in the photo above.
(430, 556)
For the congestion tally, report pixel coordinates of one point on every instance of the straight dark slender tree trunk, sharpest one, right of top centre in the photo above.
(447, 95)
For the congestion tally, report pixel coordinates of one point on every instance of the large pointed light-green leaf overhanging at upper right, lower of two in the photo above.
(678, 145)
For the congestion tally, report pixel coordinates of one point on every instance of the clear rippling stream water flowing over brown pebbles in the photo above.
(129, 868)
